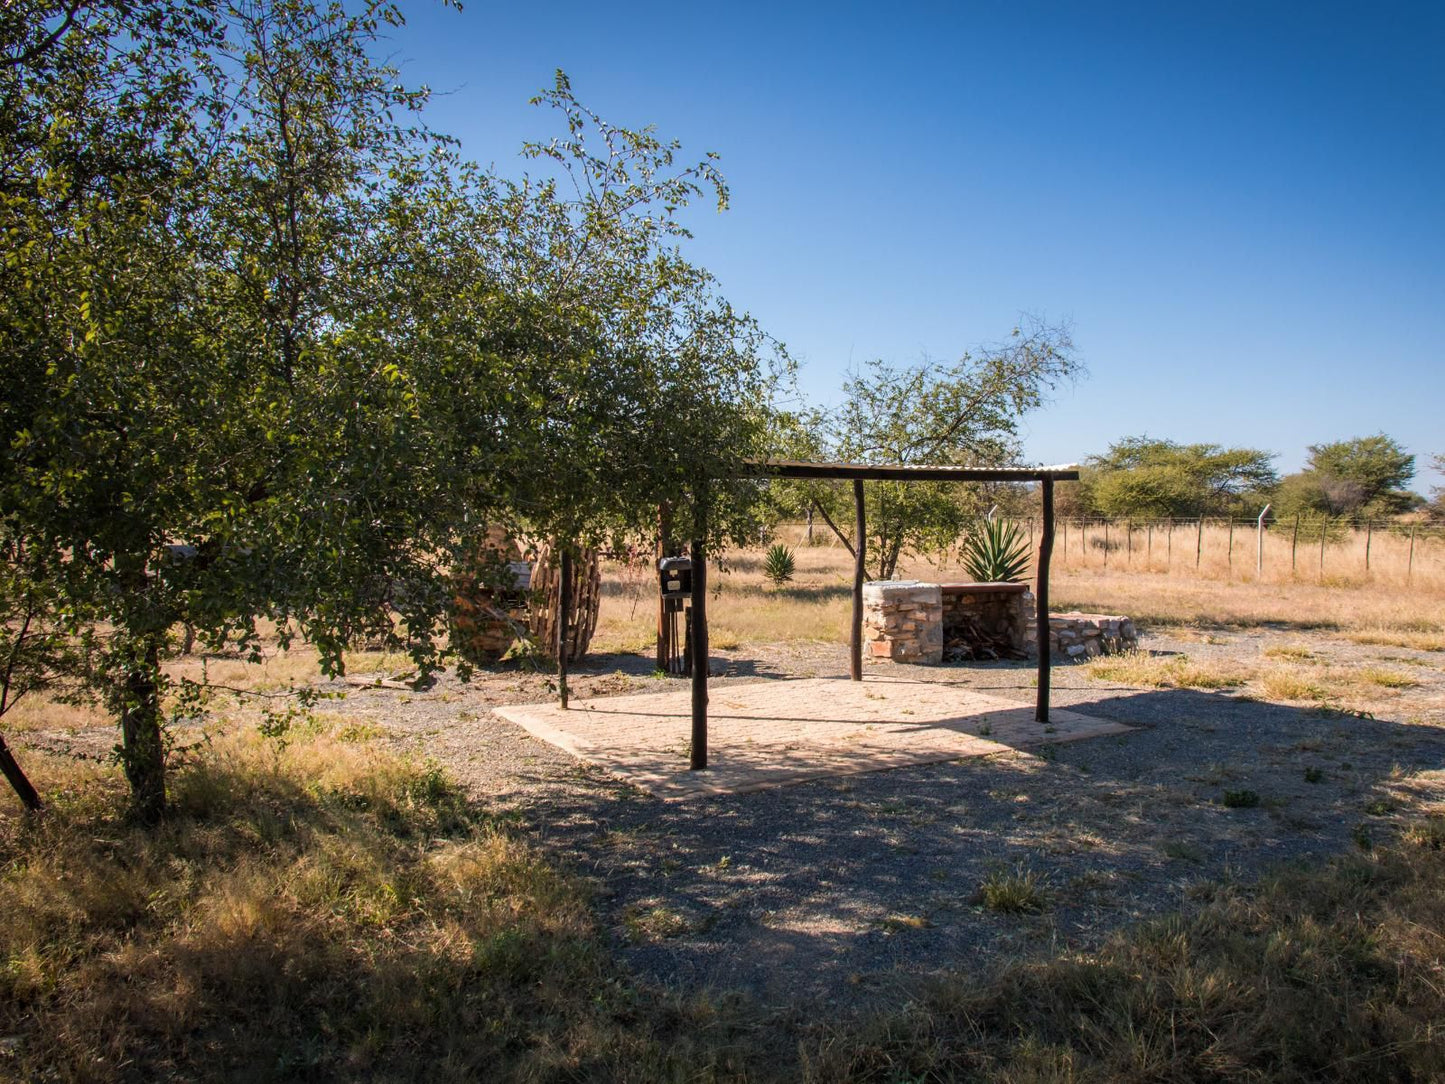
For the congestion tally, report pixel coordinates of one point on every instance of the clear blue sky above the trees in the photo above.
(1239, 206)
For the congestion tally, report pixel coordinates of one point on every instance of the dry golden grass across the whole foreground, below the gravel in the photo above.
(324, 911)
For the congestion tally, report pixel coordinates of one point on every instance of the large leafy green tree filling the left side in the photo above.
(255, 369)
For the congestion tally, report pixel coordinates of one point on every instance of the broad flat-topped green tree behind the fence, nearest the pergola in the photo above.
(1148, 478)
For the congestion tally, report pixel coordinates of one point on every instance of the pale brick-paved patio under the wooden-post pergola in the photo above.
(774, 734)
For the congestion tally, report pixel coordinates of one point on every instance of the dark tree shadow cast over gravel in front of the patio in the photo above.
(843, 888)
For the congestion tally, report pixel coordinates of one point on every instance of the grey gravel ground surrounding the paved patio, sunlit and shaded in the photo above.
(850, 890)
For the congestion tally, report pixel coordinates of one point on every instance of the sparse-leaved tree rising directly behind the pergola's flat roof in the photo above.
(963, 414)
